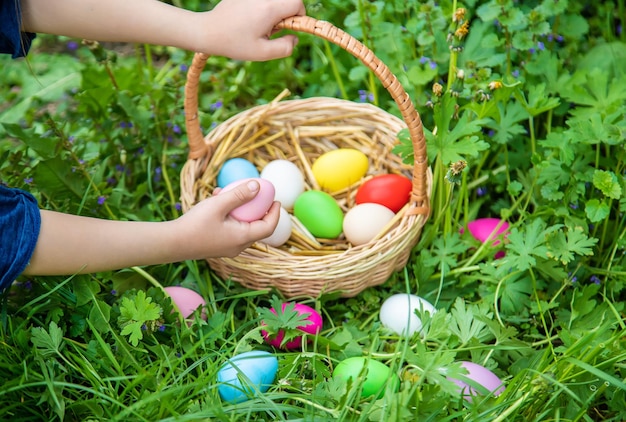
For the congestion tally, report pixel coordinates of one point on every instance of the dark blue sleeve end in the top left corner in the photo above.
(12, 40)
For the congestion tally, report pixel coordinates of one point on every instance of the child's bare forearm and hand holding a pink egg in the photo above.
(69, 244)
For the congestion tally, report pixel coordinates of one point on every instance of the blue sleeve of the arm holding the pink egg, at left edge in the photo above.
(20, 222)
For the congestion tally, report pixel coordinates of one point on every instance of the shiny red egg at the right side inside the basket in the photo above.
(390, 190)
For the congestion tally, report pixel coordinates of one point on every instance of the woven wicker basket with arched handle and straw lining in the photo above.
(300, 131)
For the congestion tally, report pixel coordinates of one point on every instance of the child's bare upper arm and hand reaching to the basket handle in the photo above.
(239, 29)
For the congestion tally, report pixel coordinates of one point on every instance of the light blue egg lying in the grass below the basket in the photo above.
(245, 375)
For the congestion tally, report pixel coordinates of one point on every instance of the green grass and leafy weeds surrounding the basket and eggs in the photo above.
(524, 105)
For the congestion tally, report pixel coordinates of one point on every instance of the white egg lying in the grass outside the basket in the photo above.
(398, 313)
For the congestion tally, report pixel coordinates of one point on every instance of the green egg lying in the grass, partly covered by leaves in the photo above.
(376, 375)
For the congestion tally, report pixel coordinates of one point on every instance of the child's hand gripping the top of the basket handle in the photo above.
(241, 29)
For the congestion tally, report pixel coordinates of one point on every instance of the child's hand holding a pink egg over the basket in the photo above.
(207, 230)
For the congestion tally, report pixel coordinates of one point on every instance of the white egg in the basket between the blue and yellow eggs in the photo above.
(287, 179)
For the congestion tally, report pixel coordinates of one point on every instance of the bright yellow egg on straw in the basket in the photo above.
(336, 170)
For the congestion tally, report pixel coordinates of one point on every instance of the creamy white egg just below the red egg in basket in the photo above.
(364, 221)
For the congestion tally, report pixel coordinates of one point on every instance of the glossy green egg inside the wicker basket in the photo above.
(319, 213)
